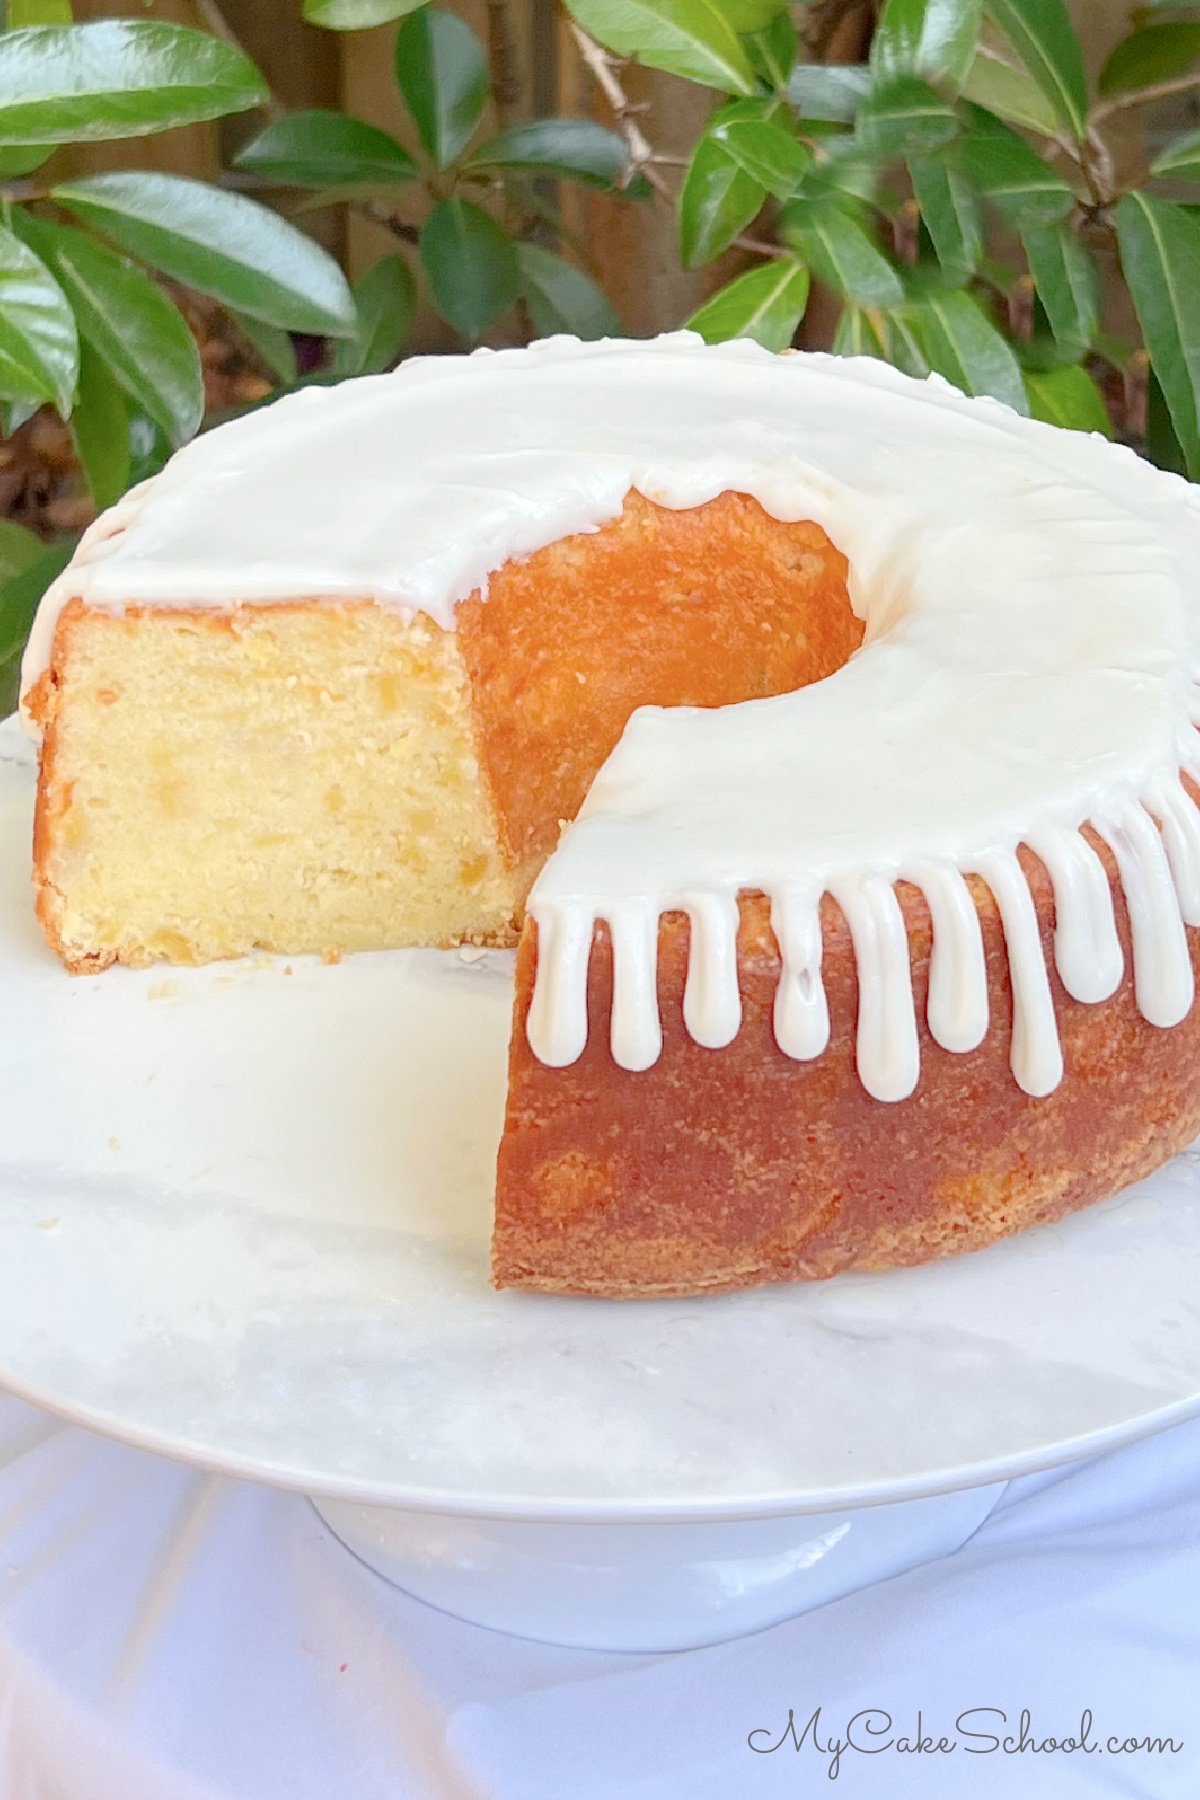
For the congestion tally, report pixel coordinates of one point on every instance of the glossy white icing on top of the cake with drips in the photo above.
(1034, 643)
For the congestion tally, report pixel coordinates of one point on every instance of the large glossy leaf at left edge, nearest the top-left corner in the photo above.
(118, 78)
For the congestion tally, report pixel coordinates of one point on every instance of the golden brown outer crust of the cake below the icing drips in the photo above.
(728, 1169)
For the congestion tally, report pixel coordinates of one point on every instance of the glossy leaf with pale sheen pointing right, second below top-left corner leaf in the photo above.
(220, 244)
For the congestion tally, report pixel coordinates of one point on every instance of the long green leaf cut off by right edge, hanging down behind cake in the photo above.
(1160, 249)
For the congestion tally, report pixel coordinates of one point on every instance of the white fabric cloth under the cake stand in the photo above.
(168, 1635)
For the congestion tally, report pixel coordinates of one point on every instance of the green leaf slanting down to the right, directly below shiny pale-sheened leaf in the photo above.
(132, 323)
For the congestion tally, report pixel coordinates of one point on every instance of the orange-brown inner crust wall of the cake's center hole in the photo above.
(661, 607)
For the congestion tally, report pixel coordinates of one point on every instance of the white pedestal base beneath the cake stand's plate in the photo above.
(650, 1587)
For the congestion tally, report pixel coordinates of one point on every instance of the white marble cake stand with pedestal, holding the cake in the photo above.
(244, 1221)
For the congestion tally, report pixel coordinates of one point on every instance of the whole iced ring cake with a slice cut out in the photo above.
(868, 717)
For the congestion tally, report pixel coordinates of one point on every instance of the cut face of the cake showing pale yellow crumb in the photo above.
(285, 778)
